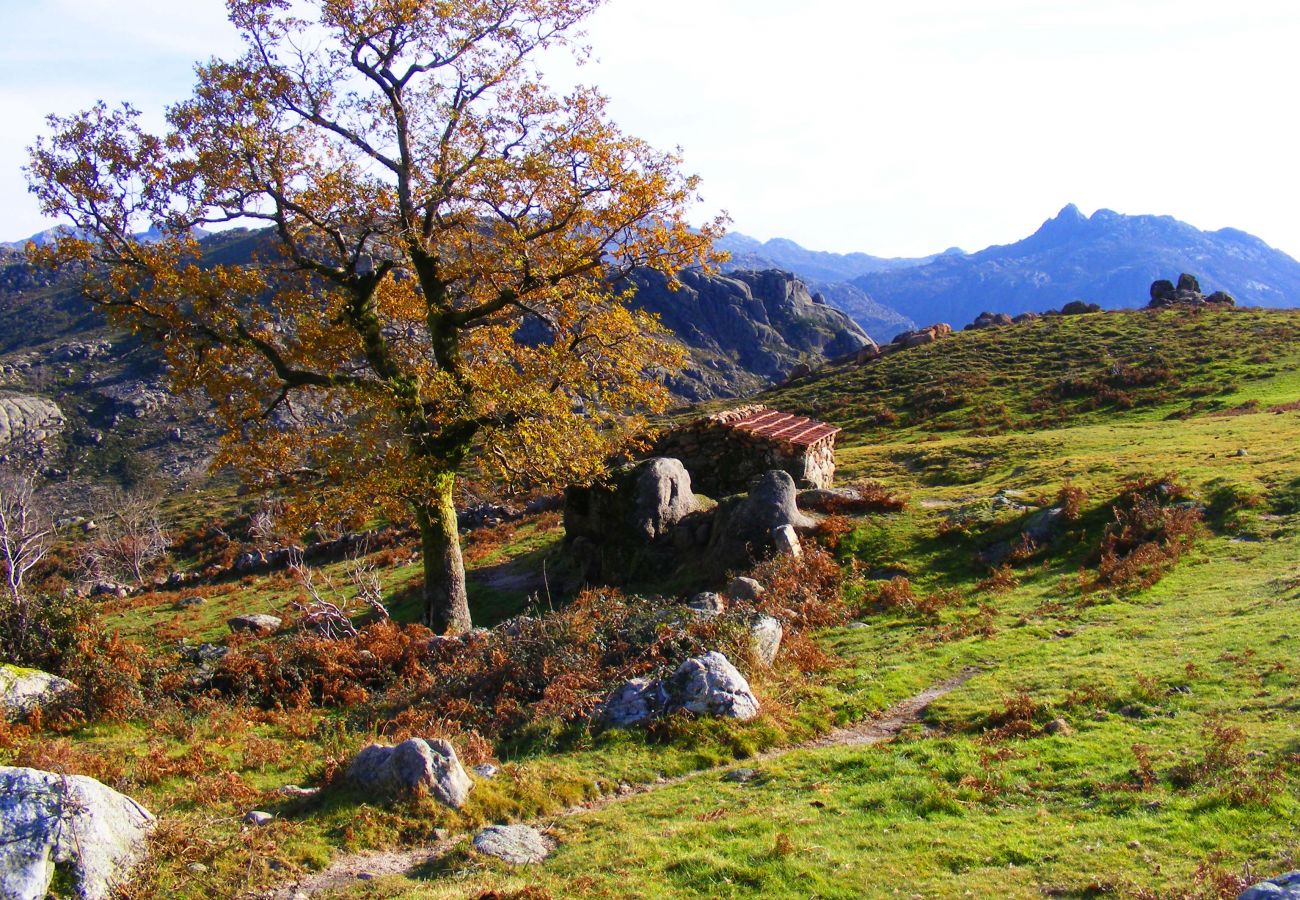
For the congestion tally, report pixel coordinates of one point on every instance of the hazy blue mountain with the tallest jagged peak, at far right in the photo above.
(1110, 259)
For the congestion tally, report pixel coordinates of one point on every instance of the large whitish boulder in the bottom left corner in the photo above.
(72, 824)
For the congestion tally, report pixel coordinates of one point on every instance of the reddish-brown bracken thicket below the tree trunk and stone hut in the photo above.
(528, 678)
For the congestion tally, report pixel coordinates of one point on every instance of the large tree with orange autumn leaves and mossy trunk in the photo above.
(430, 204)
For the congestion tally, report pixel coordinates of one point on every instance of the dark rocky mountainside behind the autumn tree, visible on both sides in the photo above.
(106, 414)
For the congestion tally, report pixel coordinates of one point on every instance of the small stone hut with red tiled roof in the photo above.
(726, 451)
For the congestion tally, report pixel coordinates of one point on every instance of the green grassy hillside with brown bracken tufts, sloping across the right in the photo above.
(1125, 725)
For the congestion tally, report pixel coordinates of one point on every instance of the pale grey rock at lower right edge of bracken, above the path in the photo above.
(705, 686)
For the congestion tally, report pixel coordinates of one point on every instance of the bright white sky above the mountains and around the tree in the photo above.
(885, 127)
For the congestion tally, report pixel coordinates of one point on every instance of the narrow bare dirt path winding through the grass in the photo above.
(361, 867)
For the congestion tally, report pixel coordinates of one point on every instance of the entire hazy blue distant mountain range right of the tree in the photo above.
(1110, 259)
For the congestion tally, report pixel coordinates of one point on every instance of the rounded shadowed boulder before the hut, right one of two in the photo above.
(746, 529)
